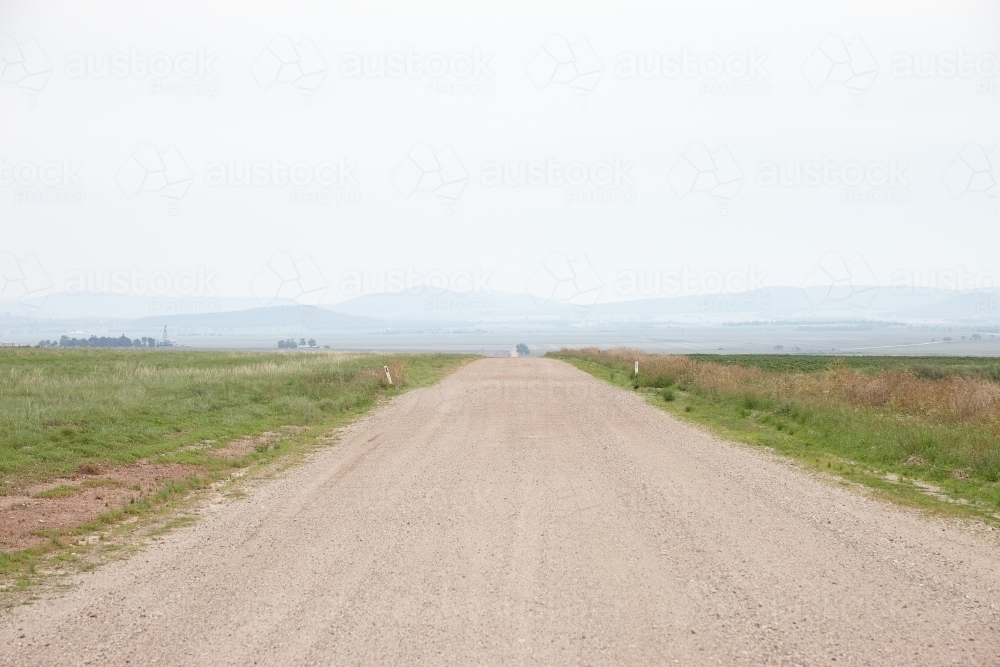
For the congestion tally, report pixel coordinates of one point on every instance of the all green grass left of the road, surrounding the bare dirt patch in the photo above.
(74, 417)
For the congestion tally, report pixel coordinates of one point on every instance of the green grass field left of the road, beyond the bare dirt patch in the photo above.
(69, 408)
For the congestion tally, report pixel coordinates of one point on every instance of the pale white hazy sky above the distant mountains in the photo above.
(187, 150)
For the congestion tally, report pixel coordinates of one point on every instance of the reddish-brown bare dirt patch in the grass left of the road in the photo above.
(28, 517)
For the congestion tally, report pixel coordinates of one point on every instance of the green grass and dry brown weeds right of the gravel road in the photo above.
(926, 438)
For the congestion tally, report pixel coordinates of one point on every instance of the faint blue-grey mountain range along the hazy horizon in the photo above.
(423, 307)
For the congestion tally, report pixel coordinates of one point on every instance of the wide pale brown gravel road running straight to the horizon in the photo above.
(523, 513)
